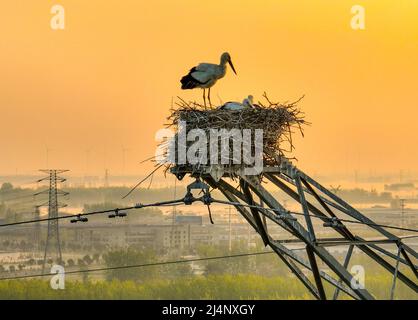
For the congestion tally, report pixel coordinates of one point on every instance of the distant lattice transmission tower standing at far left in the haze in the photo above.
(52, 246)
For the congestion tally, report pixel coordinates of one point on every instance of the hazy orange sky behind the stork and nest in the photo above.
(106, 82)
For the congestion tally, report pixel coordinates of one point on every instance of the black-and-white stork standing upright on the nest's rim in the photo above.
(205, 75)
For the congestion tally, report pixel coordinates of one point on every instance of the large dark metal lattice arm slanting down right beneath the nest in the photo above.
(257, 205)
